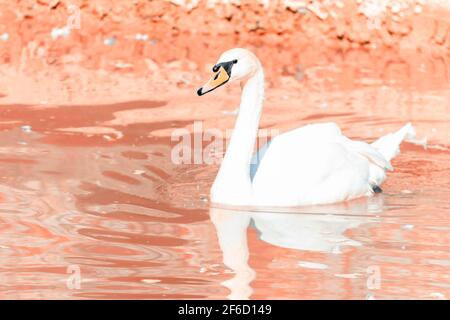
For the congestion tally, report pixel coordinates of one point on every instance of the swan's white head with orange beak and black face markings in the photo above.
(234, 64)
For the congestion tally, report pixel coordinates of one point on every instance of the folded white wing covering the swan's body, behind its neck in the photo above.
(316, 164)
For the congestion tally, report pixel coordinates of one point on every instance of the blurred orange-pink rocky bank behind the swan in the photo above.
(78, 51)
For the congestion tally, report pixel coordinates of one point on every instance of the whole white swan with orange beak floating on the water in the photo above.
(311, 165)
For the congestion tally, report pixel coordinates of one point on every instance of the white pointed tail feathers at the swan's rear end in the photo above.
(389, 145)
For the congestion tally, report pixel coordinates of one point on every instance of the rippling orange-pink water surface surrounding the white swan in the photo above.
(93, 188)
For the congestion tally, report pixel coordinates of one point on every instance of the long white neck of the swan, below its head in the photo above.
(233, 180)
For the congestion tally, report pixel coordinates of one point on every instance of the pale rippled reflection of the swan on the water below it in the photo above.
(314, 229)
